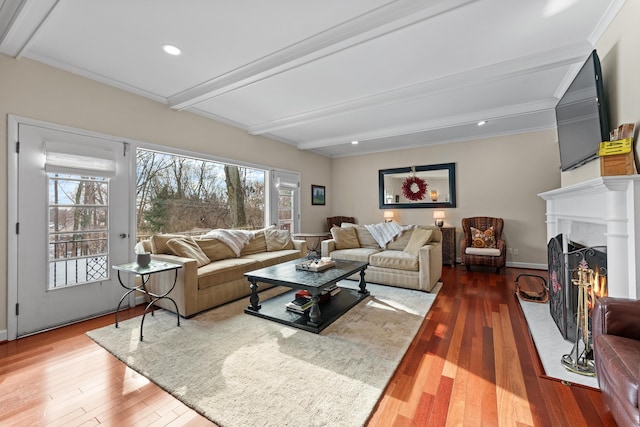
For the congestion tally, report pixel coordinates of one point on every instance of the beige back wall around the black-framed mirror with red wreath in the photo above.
(494, 177)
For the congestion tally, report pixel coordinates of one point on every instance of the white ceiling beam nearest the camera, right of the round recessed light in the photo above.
(383, 20)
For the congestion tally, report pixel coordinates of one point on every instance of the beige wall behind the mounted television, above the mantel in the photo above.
(618, 51)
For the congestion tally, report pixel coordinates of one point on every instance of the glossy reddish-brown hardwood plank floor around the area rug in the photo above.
(472, 363)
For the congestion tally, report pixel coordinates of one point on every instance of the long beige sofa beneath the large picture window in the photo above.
(218, 278)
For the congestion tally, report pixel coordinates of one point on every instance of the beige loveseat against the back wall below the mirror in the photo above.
(416, 267)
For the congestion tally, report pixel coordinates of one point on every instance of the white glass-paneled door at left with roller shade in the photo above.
(73, 225)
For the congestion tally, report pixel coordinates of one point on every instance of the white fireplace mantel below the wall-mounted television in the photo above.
(608, 208)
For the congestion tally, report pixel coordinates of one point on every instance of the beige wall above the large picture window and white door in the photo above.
(33, 90)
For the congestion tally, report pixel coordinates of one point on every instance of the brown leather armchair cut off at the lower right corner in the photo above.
(616, 350)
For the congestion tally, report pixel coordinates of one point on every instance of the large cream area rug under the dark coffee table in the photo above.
(242, 370)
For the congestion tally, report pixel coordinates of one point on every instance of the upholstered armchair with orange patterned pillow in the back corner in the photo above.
(483, 245)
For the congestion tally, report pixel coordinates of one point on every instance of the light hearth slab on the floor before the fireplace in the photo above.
(550, 344)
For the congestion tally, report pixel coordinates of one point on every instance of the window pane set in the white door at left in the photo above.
(78, 229)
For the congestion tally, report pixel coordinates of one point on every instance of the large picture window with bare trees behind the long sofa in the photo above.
(186, 195)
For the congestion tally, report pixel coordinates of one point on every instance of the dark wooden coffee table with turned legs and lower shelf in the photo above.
(320, 315)
